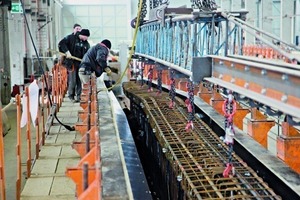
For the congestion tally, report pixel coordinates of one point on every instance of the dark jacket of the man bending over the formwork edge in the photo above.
(95, 59)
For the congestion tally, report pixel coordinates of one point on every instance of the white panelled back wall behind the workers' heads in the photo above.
(105, 19)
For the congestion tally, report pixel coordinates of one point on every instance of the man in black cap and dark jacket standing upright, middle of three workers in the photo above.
(74, 46)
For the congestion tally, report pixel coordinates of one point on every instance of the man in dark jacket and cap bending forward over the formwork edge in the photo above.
(95, 61)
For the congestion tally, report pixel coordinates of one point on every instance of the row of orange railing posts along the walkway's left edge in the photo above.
(57, 88)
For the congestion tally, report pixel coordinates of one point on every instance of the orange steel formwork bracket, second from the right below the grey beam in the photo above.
(259, 126)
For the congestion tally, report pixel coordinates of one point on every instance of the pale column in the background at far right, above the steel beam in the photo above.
(287, 11)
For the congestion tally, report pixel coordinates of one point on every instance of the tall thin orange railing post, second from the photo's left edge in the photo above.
(18, 148)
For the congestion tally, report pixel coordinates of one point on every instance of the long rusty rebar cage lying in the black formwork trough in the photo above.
(199, 156)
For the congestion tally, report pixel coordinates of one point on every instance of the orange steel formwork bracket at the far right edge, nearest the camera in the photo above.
(288, 145)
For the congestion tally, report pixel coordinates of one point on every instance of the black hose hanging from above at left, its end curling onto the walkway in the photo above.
(70, 128)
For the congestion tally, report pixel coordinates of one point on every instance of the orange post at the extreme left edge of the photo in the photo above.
(2, 165)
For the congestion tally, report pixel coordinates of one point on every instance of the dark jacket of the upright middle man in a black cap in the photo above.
(76, 47)
